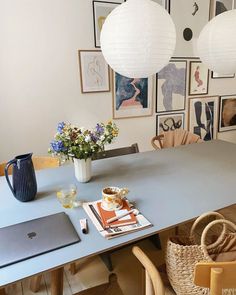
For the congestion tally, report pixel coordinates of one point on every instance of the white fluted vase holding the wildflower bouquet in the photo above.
(83, 169)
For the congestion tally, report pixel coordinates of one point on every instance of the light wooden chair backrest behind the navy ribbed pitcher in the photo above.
(39, 163)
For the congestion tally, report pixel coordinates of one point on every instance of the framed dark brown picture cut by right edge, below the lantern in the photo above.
(227, 120)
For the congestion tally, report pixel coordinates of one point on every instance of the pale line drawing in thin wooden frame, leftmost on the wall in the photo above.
(94, 71)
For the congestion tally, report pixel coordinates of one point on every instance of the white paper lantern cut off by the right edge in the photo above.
(217, 43)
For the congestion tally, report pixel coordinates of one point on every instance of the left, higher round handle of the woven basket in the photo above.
(199, 219)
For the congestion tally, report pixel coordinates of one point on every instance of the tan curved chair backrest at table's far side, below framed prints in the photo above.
(174, 138)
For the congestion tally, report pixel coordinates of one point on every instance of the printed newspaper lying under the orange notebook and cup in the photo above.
(92, 210)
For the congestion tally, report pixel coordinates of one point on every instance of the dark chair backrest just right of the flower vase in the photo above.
(117, 152)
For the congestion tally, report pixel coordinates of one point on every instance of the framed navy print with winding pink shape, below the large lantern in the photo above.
(132, 97)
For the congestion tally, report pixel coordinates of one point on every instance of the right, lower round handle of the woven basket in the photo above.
(221, 237)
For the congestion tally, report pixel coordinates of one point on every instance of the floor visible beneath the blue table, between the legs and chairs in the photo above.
(92, 271)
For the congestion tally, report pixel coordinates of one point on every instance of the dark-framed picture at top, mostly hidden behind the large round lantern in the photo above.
(101, 10)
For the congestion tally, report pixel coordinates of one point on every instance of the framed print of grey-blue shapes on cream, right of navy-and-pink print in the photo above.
(171, 87)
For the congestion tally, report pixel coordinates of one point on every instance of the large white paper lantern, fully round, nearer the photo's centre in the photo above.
(138, 38)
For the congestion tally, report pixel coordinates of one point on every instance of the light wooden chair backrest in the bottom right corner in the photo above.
(216, 276)
